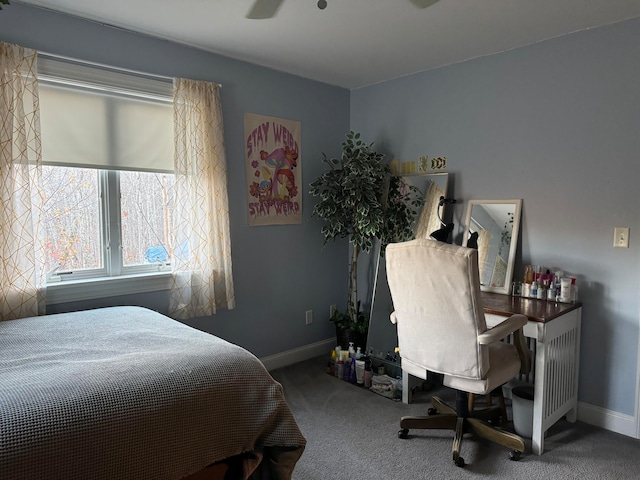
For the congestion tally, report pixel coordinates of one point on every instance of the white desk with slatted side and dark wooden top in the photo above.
(555, 327)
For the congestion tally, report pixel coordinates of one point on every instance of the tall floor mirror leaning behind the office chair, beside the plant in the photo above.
(383, 337)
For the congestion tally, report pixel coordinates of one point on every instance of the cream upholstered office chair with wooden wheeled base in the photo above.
(435, 288)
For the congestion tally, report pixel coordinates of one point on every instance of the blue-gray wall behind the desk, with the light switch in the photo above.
(556, 124)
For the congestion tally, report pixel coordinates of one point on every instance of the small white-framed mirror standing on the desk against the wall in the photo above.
(492, 226)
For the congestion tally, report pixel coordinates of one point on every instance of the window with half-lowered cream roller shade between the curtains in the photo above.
(107, 148)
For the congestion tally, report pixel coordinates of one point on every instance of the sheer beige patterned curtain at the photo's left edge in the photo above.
(22, 290)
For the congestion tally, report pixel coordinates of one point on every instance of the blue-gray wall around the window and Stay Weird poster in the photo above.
(279, 271)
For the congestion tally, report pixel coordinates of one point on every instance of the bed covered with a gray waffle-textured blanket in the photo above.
(128, 393)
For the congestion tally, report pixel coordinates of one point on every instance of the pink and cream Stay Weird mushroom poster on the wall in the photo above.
(272, 156)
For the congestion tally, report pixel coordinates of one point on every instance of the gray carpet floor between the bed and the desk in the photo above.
(352, 434)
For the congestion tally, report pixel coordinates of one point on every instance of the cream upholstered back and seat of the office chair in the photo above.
(435, 289)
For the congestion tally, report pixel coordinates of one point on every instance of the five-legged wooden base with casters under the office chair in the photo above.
(479, 422)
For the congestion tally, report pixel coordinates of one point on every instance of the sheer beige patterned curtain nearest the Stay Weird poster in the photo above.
(202, 276)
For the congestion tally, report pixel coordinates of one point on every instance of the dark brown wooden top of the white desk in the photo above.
(536, 310)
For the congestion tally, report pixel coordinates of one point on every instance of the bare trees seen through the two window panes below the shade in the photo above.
(73, 221)
